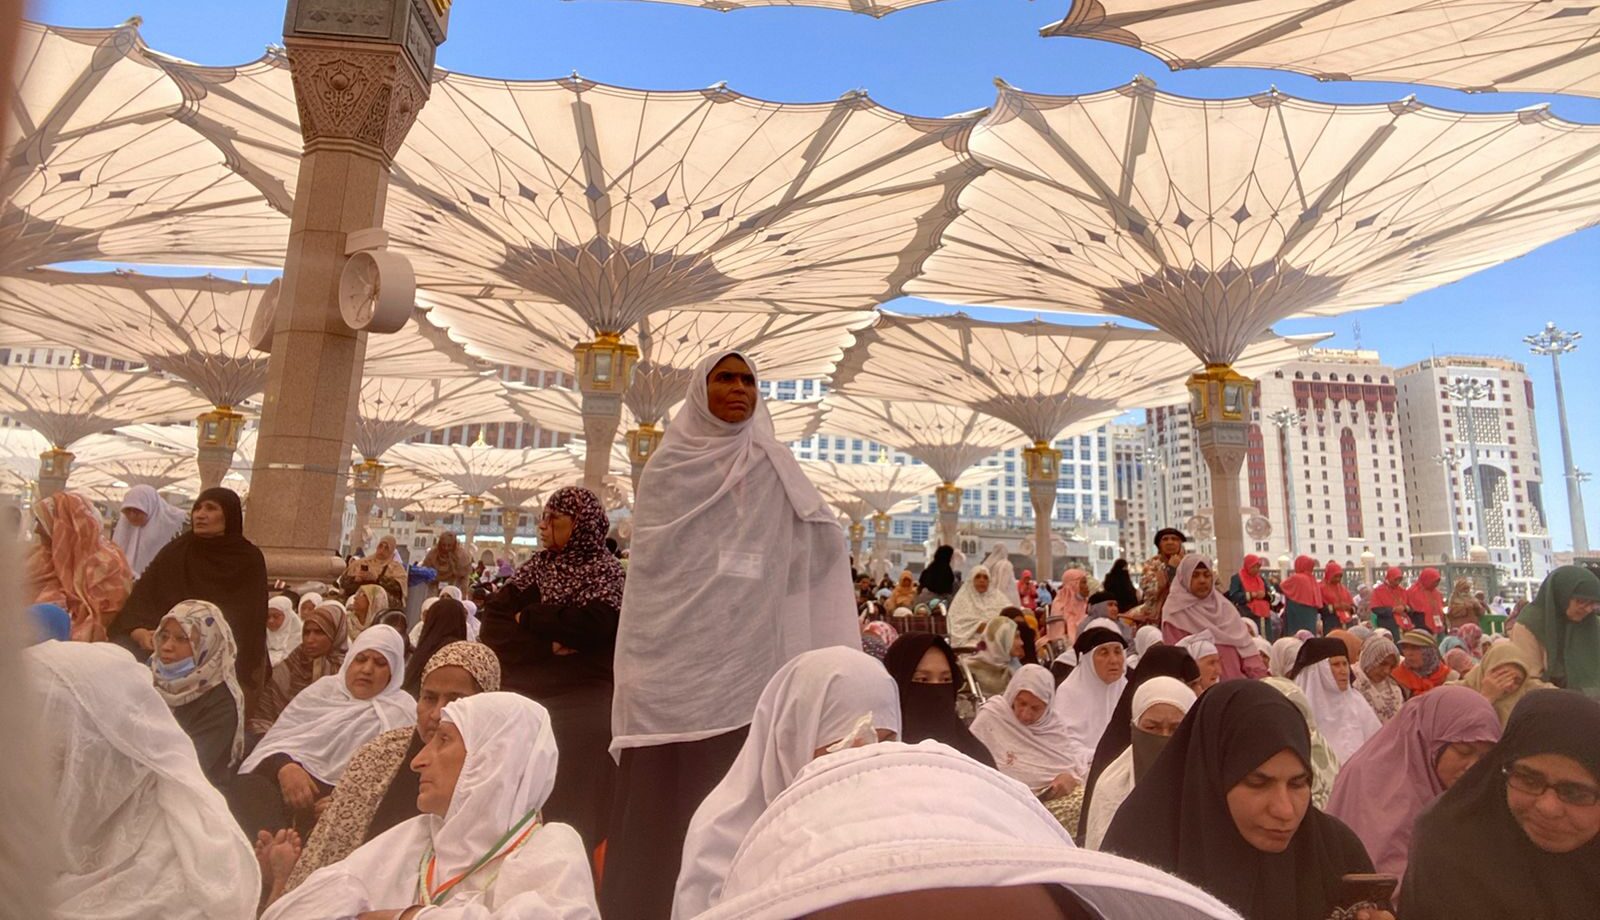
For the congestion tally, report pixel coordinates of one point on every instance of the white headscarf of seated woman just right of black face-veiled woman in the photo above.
(1031, 754)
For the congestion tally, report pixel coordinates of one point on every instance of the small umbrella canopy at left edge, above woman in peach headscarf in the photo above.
(70, 404)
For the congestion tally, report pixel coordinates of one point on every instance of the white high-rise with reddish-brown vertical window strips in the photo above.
(1340, 466)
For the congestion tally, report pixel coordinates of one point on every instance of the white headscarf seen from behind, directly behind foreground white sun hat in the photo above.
(810, 703)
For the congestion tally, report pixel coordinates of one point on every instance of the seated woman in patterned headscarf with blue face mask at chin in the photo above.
(194, 674)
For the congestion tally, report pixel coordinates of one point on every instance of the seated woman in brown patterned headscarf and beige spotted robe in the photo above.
(378, 788)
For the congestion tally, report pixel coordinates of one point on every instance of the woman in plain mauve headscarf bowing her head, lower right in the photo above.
(1407, 766)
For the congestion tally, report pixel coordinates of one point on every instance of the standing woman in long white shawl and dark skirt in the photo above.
(724, 516)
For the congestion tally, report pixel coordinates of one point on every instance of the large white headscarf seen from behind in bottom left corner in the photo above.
(138, 830)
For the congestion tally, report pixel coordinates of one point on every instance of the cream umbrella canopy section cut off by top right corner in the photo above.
(1479, 46)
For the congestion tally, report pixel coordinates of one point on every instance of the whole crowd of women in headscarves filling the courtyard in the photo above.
(738, 726)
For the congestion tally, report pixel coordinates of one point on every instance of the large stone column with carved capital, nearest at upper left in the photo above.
(361, 71)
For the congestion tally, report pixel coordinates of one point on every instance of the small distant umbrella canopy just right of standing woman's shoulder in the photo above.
(948, 439)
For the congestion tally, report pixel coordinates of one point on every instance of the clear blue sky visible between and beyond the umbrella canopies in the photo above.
(940, 60)
